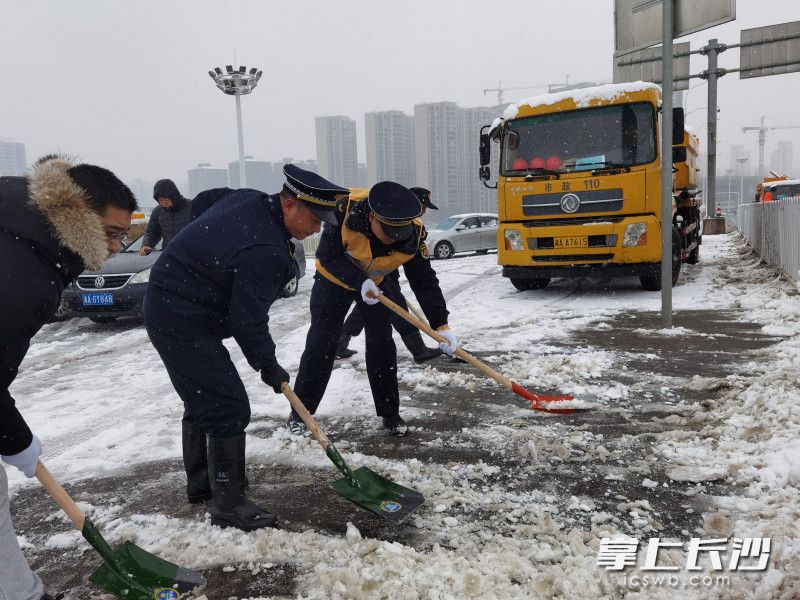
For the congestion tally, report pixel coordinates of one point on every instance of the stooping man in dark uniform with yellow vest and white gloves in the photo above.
(372, 239)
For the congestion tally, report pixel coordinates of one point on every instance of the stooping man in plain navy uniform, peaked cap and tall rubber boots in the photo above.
(218, 279)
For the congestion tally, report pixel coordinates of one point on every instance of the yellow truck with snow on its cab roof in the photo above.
(579, 187)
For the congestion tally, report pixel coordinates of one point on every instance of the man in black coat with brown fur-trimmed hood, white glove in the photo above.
(60, 220)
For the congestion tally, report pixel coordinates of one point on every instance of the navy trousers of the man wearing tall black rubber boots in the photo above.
(199, 366)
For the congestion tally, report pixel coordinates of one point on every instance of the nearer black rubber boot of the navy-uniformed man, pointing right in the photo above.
(229, 506)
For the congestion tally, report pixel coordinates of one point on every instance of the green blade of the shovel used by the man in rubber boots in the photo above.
(376, 493)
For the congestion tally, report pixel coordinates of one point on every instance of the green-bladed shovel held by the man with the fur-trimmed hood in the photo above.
(129, 572)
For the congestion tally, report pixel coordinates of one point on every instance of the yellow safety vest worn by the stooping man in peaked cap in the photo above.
(357, 248)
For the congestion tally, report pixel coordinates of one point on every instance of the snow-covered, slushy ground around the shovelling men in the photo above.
(690, 432)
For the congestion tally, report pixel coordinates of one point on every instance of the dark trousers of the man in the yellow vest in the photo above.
(329, 305)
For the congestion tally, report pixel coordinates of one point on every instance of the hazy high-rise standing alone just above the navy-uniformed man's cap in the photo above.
(336, 149)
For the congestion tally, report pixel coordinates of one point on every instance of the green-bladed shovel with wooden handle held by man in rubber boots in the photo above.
(362, 486)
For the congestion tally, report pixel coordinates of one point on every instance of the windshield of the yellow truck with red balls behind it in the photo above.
(580, 140)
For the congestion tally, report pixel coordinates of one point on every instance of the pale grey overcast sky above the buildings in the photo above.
(125, 84)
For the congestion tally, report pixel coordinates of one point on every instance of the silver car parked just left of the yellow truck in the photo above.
(474, 232)
